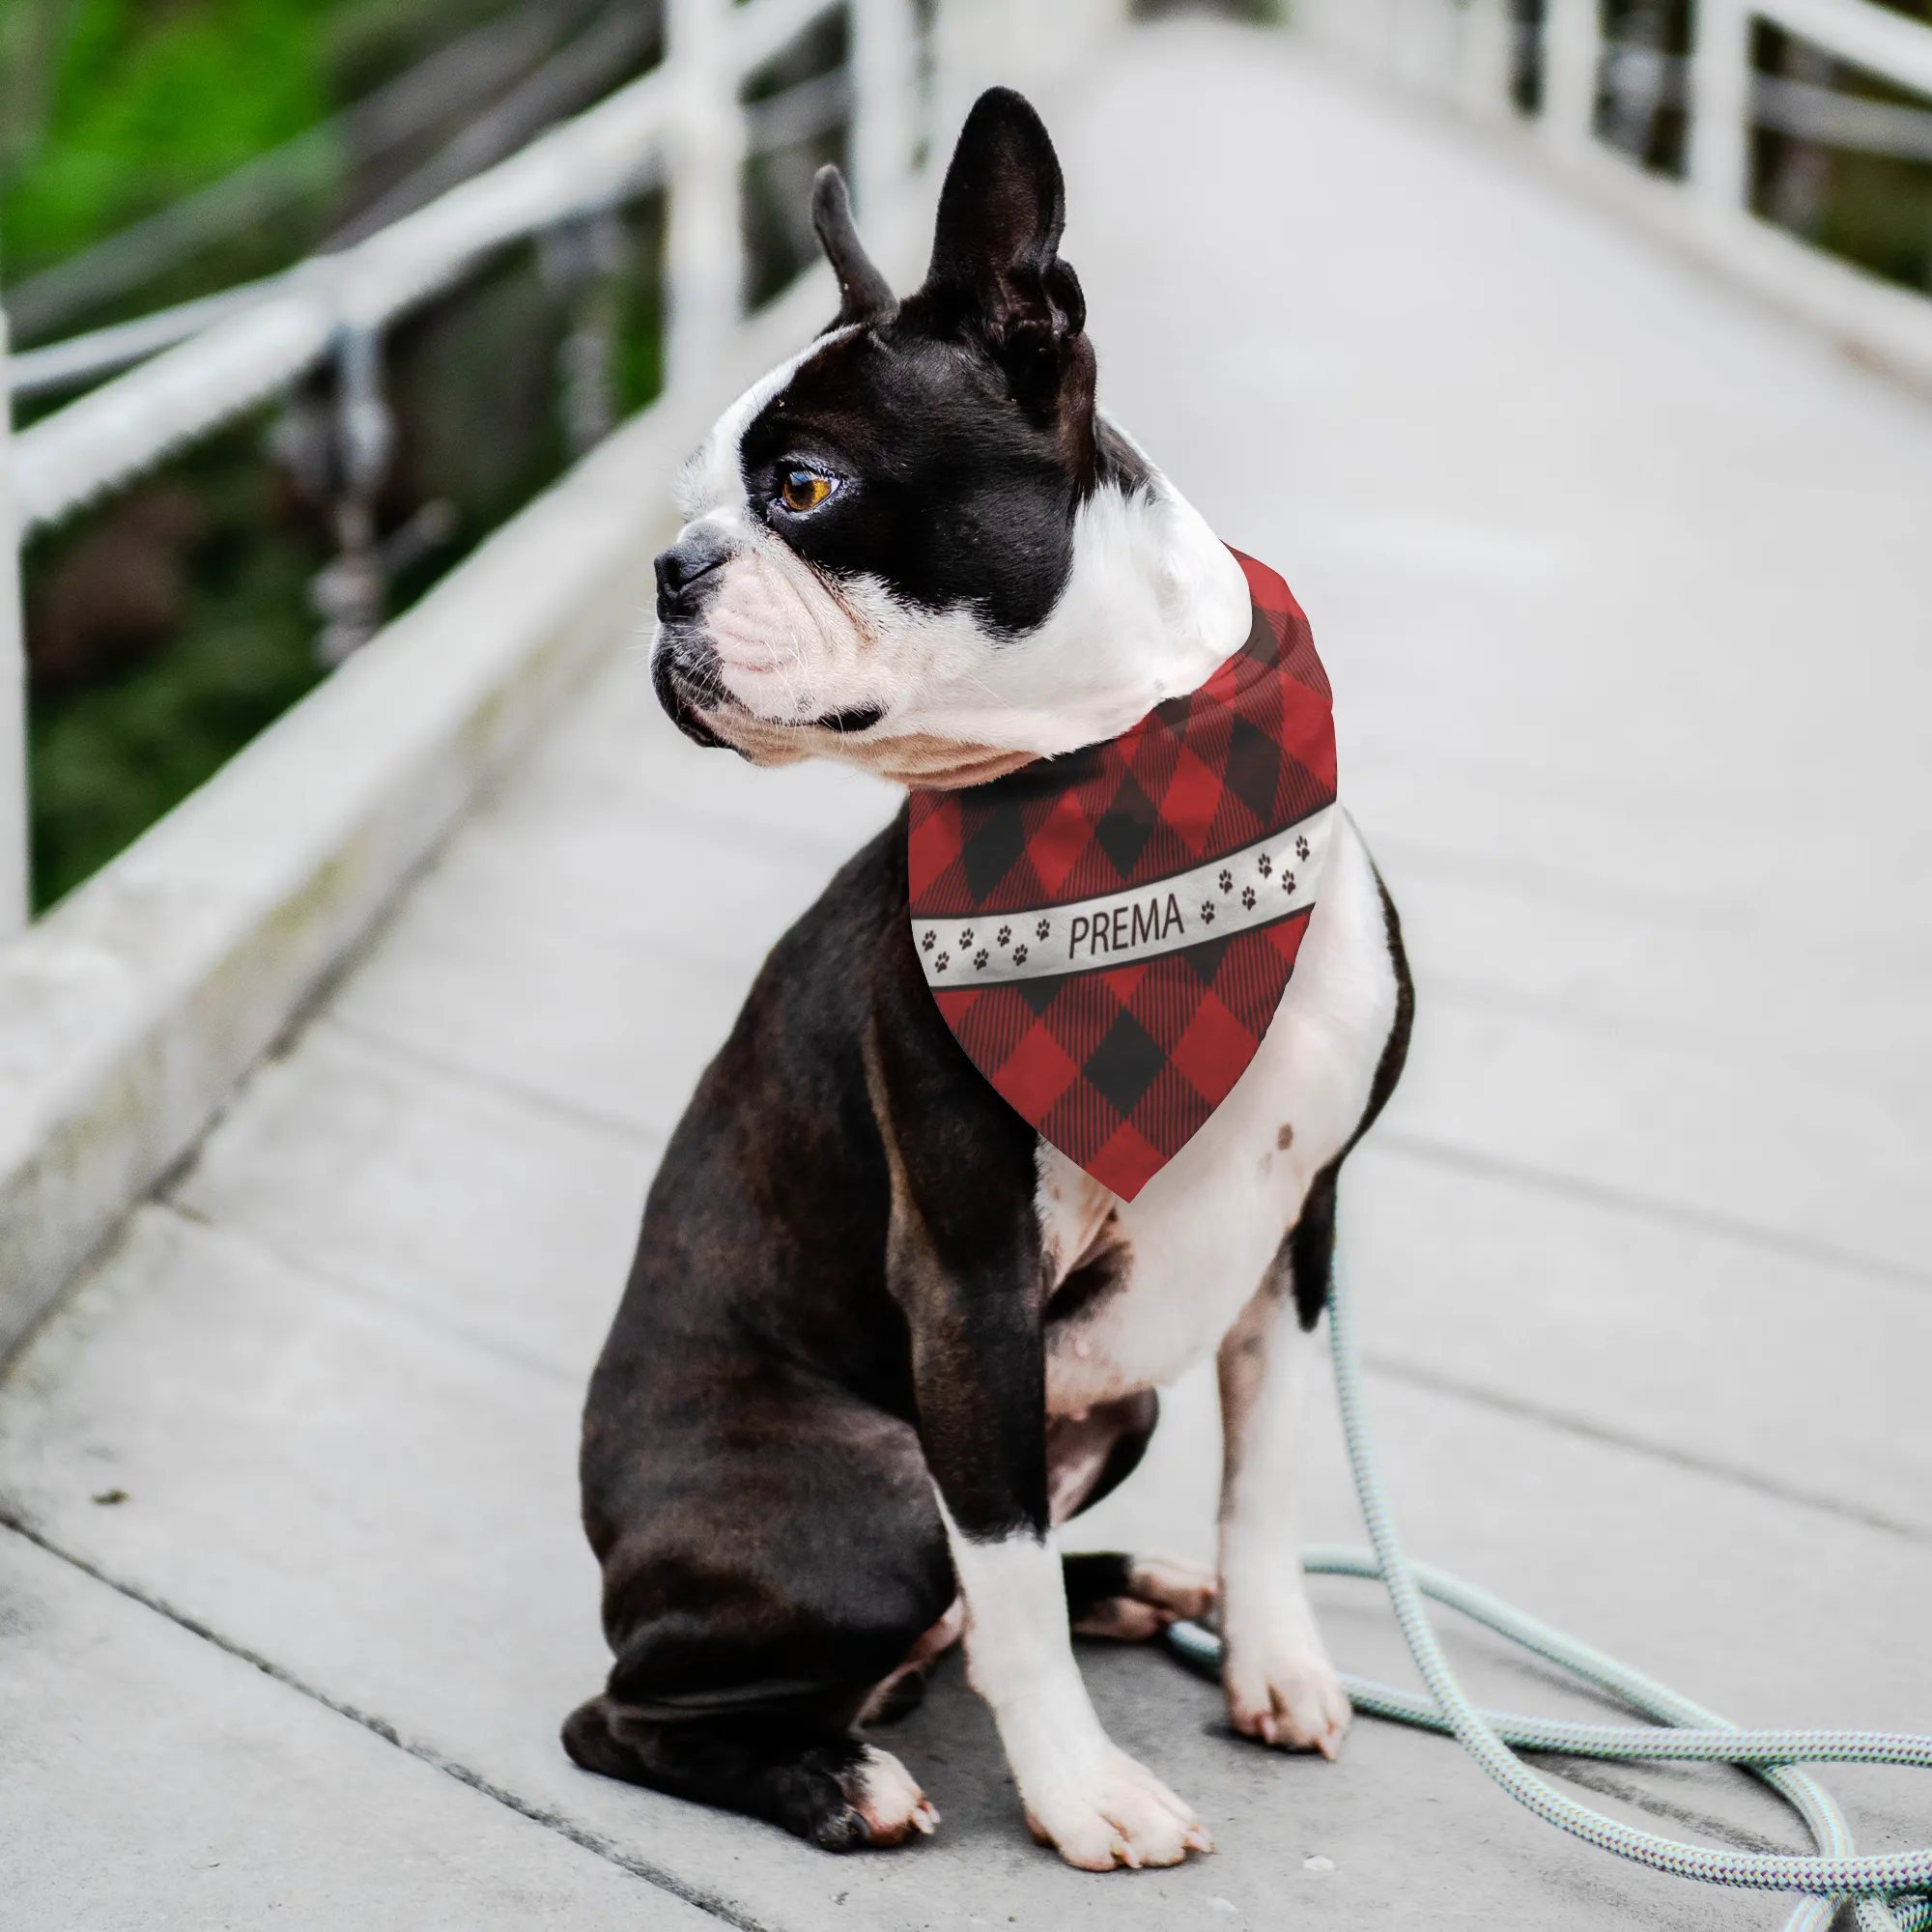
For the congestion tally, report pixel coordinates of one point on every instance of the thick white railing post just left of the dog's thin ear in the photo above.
(704, 262)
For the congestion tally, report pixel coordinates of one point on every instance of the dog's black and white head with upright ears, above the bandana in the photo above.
(917, 546)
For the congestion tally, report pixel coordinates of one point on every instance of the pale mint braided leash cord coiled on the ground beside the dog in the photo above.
(1879, 1887)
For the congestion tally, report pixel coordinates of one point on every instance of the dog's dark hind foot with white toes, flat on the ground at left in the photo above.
(812, 1778)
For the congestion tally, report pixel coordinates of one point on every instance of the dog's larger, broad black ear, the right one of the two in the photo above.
(996, 244)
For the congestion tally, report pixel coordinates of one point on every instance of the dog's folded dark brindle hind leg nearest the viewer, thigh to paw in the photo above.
(758, 1589)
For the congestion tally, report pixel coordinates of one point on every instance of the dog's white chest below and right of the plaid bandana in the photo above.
(1147, 1288)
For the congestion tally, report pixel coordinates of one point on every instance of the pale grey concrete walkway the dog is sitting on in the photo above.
(1628, 596)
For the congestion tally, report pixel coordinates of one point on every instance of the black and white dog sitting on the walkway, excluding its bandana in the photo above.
(882, 1338)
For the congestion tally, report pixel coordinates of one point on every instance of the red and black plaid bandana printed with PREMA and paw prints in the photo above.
(1108, 934)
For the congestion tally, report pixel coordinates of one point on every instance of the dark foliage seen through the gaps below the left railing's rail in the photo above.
(474, 385)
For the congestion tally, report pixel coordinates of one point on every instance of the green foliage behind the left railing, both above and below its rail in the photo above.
(157, 656)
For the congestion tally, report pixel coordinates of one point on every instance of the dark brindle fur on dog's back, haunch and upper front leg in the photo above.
(778, 1398)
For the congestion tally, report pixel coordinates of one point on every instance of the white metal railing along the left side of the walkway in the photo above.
(681, 127)
